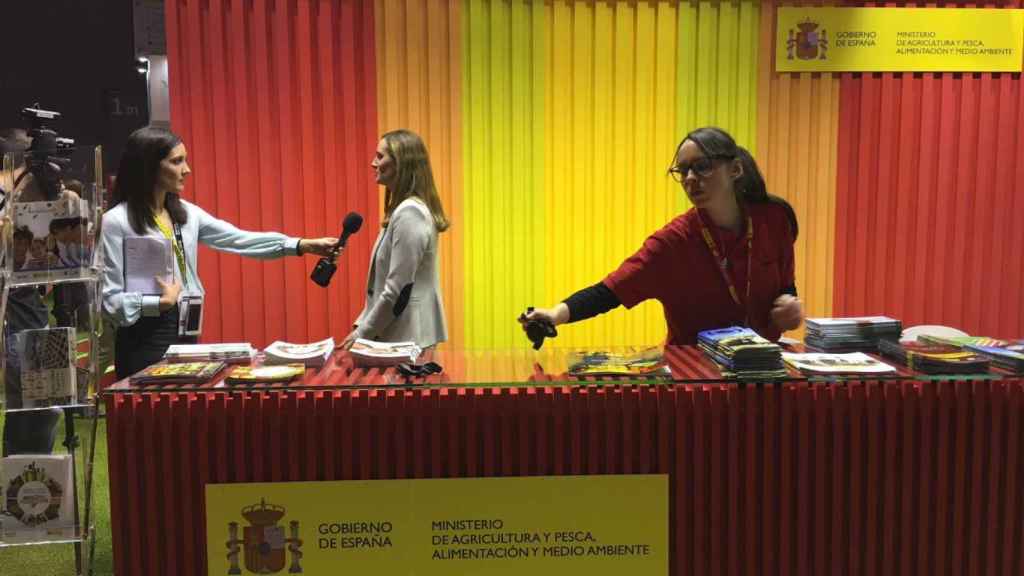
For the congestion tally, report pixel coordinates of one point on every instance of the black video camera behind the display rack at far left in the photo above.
(49, 155)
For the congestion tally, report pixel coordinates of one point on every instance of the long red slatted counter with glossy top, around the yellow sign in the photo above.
(903, 476)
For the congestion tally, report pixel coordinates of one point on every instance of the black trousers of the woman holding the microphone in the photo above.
(145, 343)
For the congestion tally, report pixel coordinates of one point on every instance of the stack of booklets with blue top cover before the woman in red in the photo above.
(742, 353)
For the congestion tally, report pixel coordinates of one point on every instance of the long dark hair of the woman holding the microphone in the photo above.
(138, 175)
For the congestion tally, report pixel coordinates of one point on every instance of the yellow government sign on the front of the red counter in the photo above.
(594, 525)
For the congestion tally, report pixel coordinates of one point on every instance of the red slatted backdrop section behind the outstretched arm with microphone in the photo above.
(266, 158)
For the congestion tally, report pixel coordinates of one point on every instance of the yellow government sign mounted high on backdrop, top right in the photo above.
(824, 39)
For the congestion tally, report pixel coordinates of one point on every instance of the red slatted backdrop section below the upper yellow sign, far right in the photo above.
(927, 168)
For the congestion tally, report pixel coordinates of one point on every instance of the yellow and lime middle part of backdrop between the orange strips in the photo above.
(600, 89)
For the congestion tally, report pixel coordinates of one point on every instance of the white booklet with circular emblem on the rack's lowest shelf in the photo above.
(36, 492)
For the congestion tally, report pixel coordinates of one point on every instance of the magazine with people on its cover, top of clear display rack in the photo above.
(54, 240)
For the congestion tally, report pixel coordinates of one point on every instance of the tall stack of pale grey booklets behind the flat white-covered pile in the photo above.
(850, 335)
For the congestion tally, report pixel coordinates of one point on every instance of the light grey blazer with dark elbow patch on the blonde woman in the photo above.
(404, 301)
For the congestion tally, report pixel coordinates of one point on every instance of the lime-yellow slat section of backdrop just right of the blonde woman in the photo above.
(503, 124)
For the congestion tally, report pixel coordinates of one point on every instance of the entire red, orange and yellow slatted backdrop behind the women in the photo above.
(551, 127)
